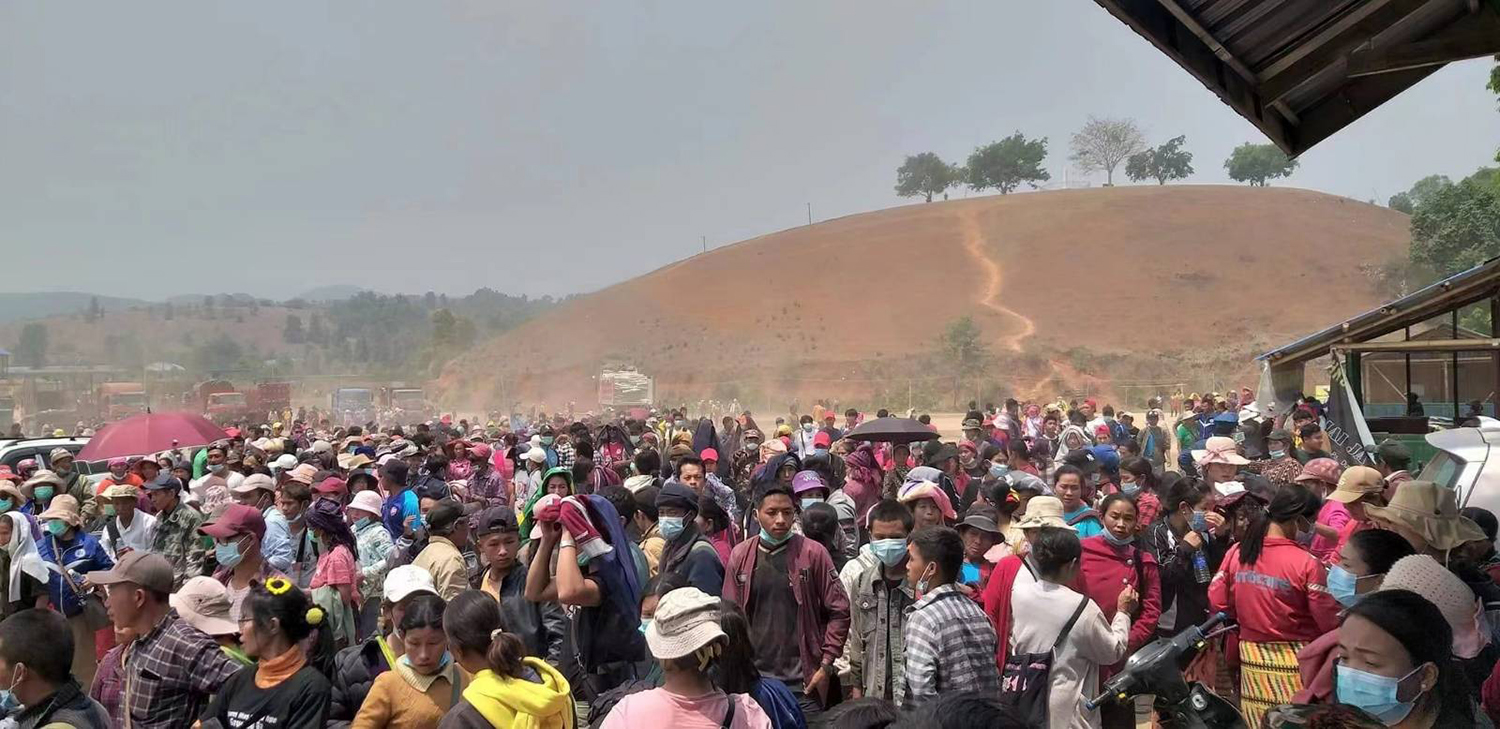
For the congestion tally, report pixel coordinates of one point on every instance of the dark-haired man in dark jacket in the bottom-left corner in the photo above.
(34, 668)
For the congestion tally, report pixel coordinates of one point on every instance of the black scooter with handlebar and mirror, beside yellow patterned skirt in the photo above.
(1157, 670)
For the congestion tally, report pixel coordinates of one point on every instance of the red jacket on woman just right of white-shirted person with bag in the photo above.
(1106, 569)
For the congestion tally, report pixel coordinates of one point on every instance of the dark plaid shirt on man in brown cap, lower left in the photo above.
(170, 676)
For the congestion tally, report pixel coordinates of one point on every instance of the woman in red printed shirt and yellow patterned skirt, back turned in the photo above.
(1279, 595)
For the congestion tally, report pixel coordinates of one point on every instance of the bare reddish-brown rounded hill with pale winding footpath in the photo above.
(1097, 290)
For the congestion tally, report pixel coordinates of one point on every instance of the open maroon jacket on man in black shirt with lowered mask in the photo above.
(823, 608)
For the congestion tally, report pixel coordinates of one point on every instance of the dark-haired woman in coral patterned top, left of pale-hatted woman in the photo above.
(337, 581)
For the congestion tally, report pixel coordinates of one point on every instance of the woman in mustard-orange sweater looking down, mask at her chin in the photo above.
(425, 683)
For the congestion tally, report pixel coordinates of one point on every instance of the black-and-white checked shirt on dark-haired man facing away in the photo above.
(950, 647)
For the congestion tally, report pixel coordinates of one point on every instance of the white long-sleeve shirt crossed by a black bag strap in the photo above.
(1040, 611)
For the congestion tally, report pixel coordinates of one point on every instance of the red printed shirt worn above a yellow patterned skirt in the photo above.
(1282, 598)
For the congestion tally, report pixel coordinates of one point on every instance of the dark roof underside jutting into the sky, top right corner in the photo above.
(1304, 70)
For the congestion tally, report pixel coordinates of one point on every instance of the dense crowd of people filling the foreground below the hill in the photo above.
(700, 572)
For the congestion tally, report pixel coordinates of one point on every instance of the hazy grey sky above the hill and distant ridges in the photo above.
(170, 148)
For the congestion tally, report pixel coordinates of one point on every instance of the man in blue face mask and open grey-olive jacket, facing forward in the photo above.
(878, 605)
